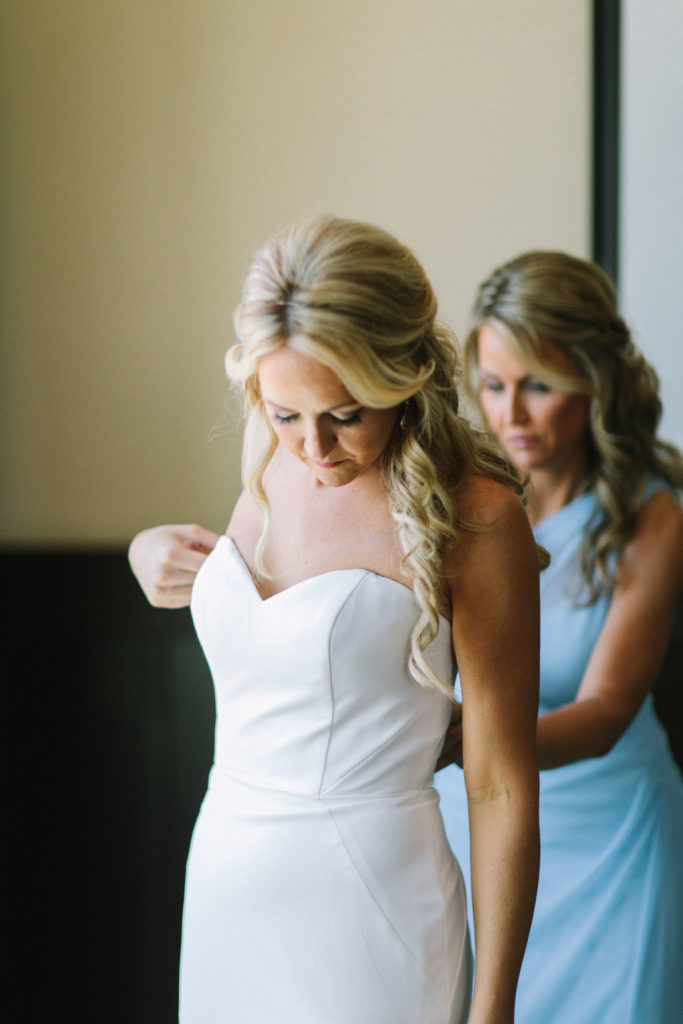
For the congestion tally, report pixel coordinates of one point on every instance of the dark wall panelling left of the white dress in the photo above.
(108, 731)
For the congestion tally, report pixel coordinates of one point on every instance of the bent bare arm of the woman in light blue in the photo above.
(632, 645)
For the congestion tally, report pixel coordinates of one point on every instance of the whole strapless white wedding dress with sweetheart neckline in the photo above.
(321, 888)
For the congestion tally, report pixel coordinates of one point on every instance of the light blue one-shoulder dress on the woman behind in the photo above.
(607, 943)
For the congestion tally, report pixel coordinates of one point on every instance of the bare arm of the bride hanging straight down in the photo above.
(495, 598)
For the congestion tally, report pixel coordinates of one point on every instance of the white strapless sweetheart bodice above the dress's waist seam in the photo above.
(313, 690)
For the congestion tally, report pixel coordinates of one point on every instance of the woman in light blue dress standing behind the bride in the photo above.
(552, 369)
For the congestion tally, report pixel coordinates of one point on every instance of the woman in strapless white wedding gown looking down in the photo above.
(378, 543)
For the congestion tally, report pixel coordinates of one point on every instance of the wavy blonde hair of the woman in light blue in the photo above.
(543, 300)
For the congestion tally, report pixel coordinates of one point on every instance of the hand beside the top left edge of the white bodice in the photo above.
(166, 560)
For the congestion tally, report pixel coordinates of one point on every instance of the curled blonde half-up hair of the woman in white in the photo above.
(355, 298)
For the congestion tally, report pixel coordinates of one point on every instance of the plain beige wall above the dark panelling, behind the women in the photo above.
(150, 147)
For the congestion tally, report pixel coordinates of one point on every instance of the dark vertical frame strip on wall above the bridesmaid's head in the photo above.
(607, 55)
